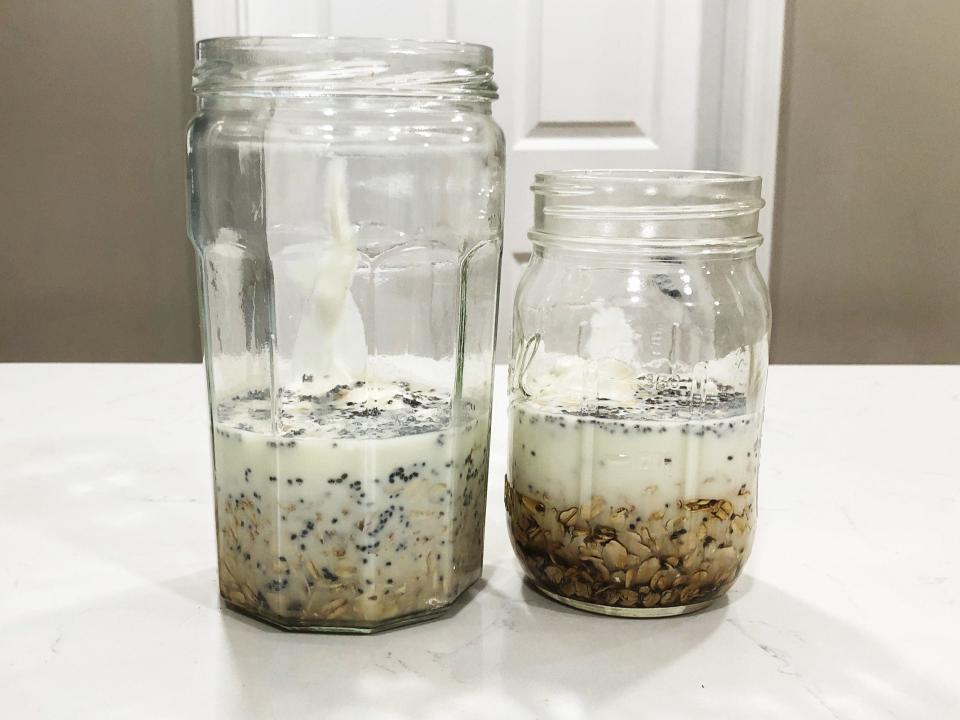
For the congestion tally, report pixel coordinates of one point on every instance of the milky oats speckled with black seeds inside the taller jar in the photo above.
(366, 505)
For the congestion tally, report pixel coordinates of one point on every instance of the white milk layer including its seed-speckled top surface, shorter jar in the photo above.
(609, 428)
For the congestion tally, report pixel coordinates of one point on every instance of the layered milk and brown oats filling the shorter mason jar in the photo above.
(644, 505)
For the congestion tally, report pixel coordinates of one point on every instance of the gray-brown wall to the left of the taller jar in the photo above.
(94, 261)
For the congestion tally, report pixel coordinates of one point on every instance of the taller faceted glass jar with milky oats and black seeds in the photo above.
(346, 200)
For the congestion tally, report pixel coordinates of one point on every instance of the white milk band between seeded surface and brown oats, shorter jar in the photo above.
(640, 463)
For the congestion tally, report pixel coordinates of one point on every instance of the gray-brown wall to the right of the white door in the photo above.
(866, 255)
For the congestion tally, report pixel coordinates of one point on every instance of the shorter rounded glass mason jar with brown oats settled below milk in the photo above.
(636, 389)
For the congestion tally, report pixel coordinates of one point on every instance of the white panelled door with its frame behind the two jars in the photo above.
(610, 83)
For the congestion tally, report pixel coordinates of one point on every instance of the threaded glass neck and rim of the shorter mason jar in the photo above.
(665, 206)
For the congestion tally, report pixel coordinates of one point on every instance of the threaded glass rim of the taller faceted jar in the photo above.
(315, 66)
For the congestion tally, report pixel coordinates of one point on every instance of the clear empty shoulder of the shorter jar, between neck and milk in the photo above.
(690, 306)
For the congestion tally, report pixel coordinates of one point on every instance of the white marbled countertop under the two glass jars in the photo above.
(848, 607)
